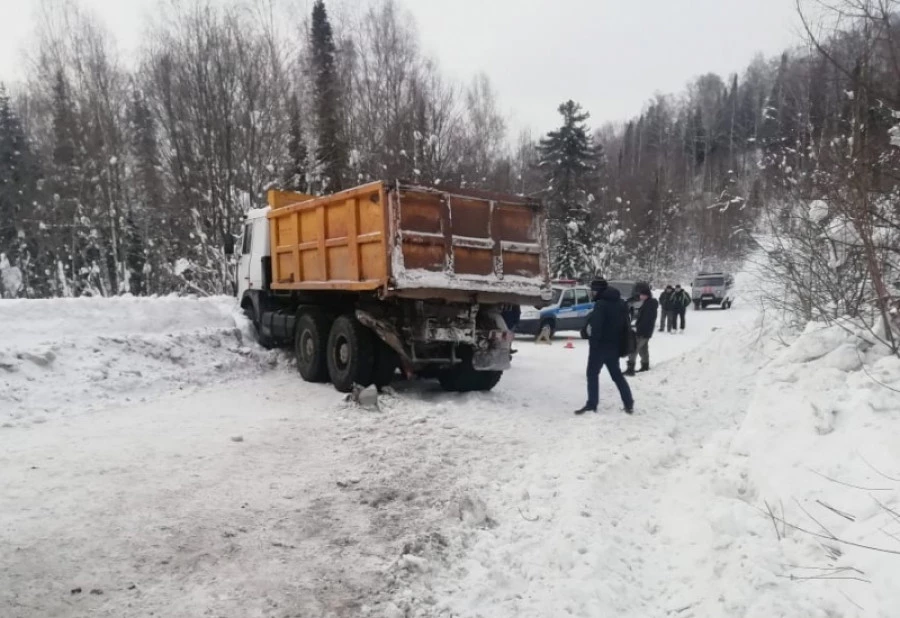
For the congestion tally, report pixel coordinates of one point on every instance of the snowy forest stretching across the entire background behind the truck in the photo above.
(118, 179)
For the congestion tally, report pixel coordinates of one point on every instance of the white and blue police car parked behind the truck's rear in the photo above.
(569, 309)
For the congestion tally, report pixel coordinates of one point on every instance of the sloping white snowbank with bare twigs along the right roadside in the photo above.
(798, 510)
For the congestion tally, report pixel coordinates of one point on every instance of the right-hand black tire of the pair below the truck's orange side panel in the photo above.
(351, 354)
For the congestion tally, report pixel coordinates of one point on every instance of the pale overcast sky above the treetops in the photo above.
(609, 55)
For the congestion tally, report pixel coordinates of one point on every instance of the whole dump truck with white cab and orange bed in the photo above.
(390, 276)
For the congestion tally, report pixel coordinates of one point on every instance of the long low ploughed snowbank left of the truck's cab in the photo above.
(65, 356)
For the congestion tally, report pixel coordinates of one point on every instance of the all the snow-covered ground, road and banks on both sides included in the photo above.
(758, 477)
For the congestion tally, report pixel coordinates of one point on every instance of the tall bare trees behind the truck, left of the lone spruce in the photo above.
(134, 179)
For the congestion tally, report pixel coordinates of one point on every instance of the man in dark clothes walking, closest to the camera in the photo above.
(609, 326)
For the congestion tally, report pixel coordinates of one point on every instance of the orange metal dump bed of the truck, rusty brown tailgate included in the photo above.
(409, 241)
